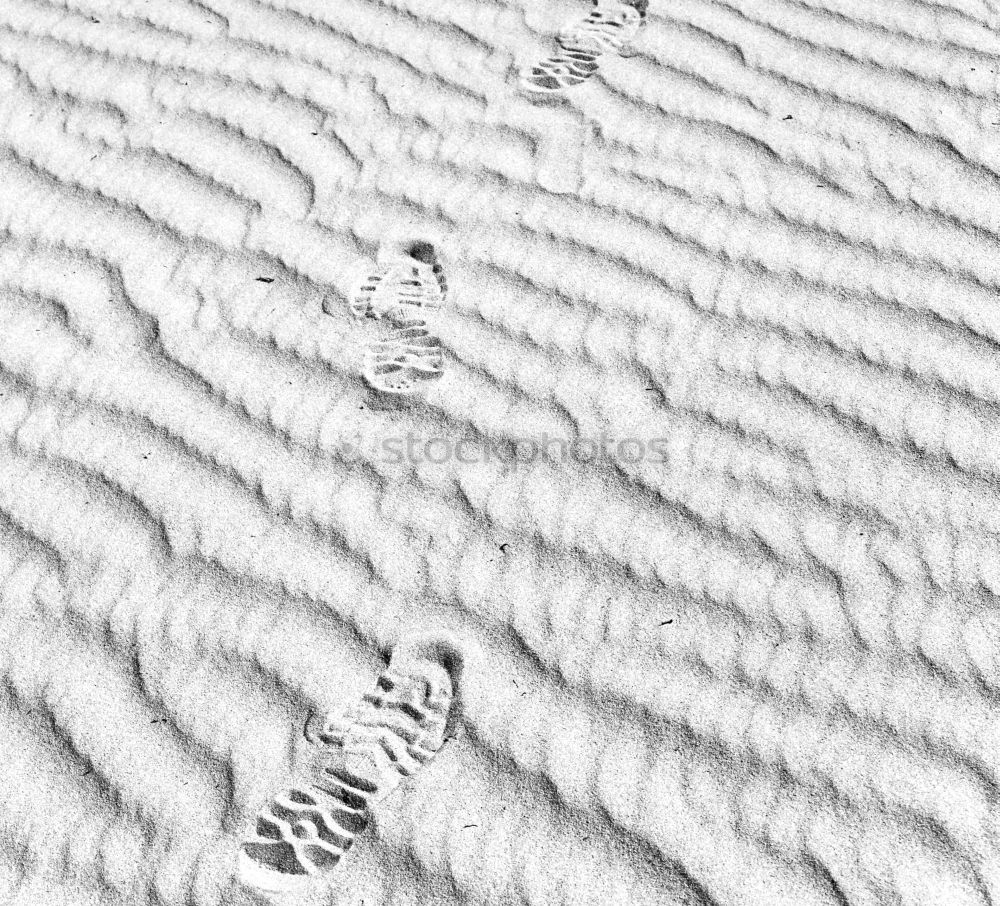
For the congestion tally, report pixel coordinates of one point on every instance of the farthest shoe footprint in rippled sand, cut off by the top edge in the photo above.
(611, 27)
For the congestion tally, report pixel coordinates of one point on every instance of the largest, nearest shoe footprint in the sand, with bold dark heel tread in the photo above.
(352, 761)
